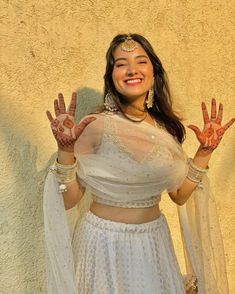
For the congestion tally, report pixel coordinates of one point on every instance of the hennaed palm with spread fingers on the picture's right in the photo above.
(213, 131)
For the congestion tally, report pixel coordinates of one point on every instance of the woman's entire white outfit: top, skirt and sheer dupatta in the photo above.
(127, 164)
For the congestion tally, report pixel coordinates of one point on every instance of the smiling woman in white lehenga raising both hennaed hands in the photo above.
(124, 157)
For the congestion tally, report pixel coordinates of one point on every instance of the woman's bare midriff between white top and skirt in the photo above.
(125, 215)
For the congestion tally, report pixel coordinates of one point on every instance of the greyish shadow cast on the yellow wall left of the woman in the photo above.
(21, 221)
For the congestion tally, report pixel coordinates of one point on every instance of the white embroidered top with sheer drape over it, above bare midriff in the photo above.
(124, 165)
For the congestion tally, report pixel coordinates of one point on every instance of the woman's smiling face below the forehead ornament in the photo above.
(132, 73)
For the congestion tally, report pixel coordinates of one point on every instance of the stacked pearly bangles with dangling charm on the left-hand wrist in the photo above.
(64, 174)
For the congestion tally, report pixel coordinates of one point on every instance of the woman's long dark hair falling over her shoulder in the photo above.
(162, 109)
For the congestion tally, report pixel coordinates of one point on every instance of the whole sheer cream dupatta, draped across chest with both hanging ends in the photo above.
(119, 158)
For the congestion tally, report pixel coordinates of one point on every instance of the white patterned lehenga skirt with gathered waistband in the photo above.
(118, 258)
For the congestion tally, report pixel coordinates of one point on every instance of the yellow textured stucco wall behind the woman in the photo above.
(52, 46)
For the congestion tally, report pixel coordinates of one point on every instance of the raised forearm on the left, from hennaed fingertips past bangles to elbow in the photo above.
(66, 133)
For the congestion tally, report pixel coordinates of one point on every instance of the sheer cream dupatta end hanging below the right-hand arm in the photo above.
(202, 240)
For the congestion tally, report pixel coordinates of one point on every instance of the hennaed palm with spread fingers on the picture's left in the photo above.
(64, 127)
